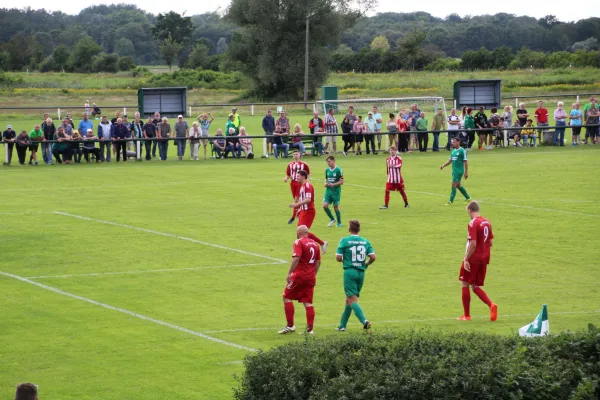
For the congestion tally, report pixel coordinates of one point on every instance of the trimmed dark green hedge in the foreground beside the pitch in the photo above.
(426, 365)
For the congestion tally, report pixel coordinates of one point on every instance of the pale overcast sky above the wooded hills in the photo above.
(438, 8)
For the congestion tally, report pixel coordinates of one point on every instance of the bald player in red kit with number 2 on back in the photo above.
(301, 280)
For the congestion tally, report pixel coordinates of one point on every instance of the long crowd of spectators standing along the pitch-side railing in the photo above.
(408, 129)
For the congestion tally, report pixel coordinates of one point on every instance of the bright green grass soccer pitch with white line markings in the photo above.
(154, 280)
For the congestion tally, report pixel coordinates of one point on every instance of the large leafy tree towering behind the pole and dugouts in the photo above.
(272, 39)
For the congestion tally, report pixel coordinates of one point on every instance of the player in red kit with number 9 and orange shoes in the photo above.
(474, 266)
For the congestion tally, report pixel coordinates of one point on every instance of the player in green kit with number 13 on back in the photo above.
(356, 254)
